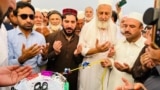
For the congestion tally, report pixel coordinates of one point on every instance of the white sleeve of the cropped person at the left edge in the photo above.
(3, 50)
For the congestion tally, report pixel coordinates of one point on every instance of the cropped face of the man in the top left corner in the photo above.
(4, 6)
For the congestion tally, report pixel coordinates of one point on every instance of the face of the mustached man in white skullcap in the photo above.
(132, 29)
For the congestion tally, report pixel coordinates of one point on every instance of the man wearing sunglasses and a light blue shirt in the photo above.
(26, 46)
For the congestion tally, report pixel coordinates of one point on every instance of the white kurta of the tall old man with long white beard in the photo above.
(92, 78)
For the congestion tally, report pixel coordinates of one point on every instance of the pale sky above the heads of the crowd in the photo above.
(132, 5)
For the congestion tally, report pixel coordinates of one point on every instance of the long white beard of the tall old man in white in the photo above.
(102, 24)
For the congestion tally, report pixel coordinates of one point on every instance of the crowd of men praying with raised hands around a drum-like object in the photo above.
(118, 48)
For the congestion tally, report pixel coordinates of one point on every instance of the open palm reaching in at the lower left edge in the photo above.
(11, 75)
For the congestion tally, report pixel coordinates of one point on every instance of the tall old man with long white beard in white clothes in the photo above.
(97, 38)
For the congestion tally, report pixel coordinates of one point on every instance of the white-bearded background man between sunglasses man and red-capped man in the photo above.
(55, 20)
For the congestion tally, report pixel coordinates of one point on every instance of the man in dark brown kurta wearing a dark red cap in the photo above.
(63, 49)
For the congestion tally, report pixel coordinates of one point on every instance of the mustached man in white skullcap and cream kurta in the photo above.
(127, 50)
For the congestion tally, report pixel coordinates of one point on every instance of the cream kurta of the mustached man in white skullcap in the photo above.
(125, 53)
